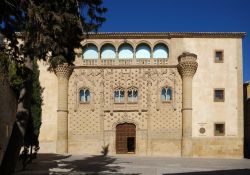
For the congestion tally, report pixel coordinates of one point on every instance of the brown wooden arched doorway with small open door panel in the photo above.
(125, 138)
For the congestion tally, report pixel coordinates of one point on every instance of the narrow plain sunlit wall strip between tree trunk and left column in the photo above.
(47, 136)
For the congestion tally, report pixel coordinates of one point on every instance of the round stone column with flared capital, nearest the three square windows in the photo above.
(187, 67)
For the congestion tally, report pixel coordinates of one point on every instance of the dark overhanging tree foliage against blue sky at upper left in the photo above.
(49, 29)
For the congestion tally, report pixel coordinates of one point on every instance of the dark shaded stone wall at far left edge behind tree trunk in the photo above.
(7, 112)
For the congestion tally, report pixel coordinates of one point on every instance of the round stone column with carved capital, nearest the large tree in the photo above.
(63, 73)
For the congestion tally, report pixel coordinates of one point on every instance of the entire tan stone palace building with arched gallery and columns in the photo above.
(165, 94)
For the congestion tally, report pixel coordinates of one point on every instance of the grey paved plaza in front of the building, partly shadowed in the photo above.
(131, 165)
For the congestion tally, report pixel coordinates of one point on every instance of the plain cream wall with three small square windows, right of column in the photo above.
(206, 112)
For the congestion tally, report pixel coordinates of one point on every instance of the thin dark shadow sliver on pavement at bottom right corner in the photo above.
(219, 172)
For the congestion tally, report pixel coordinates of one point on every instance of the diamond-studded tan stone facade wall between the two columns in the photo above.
(97, 119)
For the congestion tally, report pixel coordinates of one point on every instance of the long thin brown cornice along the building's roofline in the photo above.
(166, 35)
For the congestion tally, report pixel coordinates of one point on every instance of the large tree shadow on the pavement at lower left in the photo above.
(59, 164)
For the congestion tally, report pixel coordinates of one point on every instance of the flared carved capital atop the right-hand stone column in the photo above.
(187, 64)
